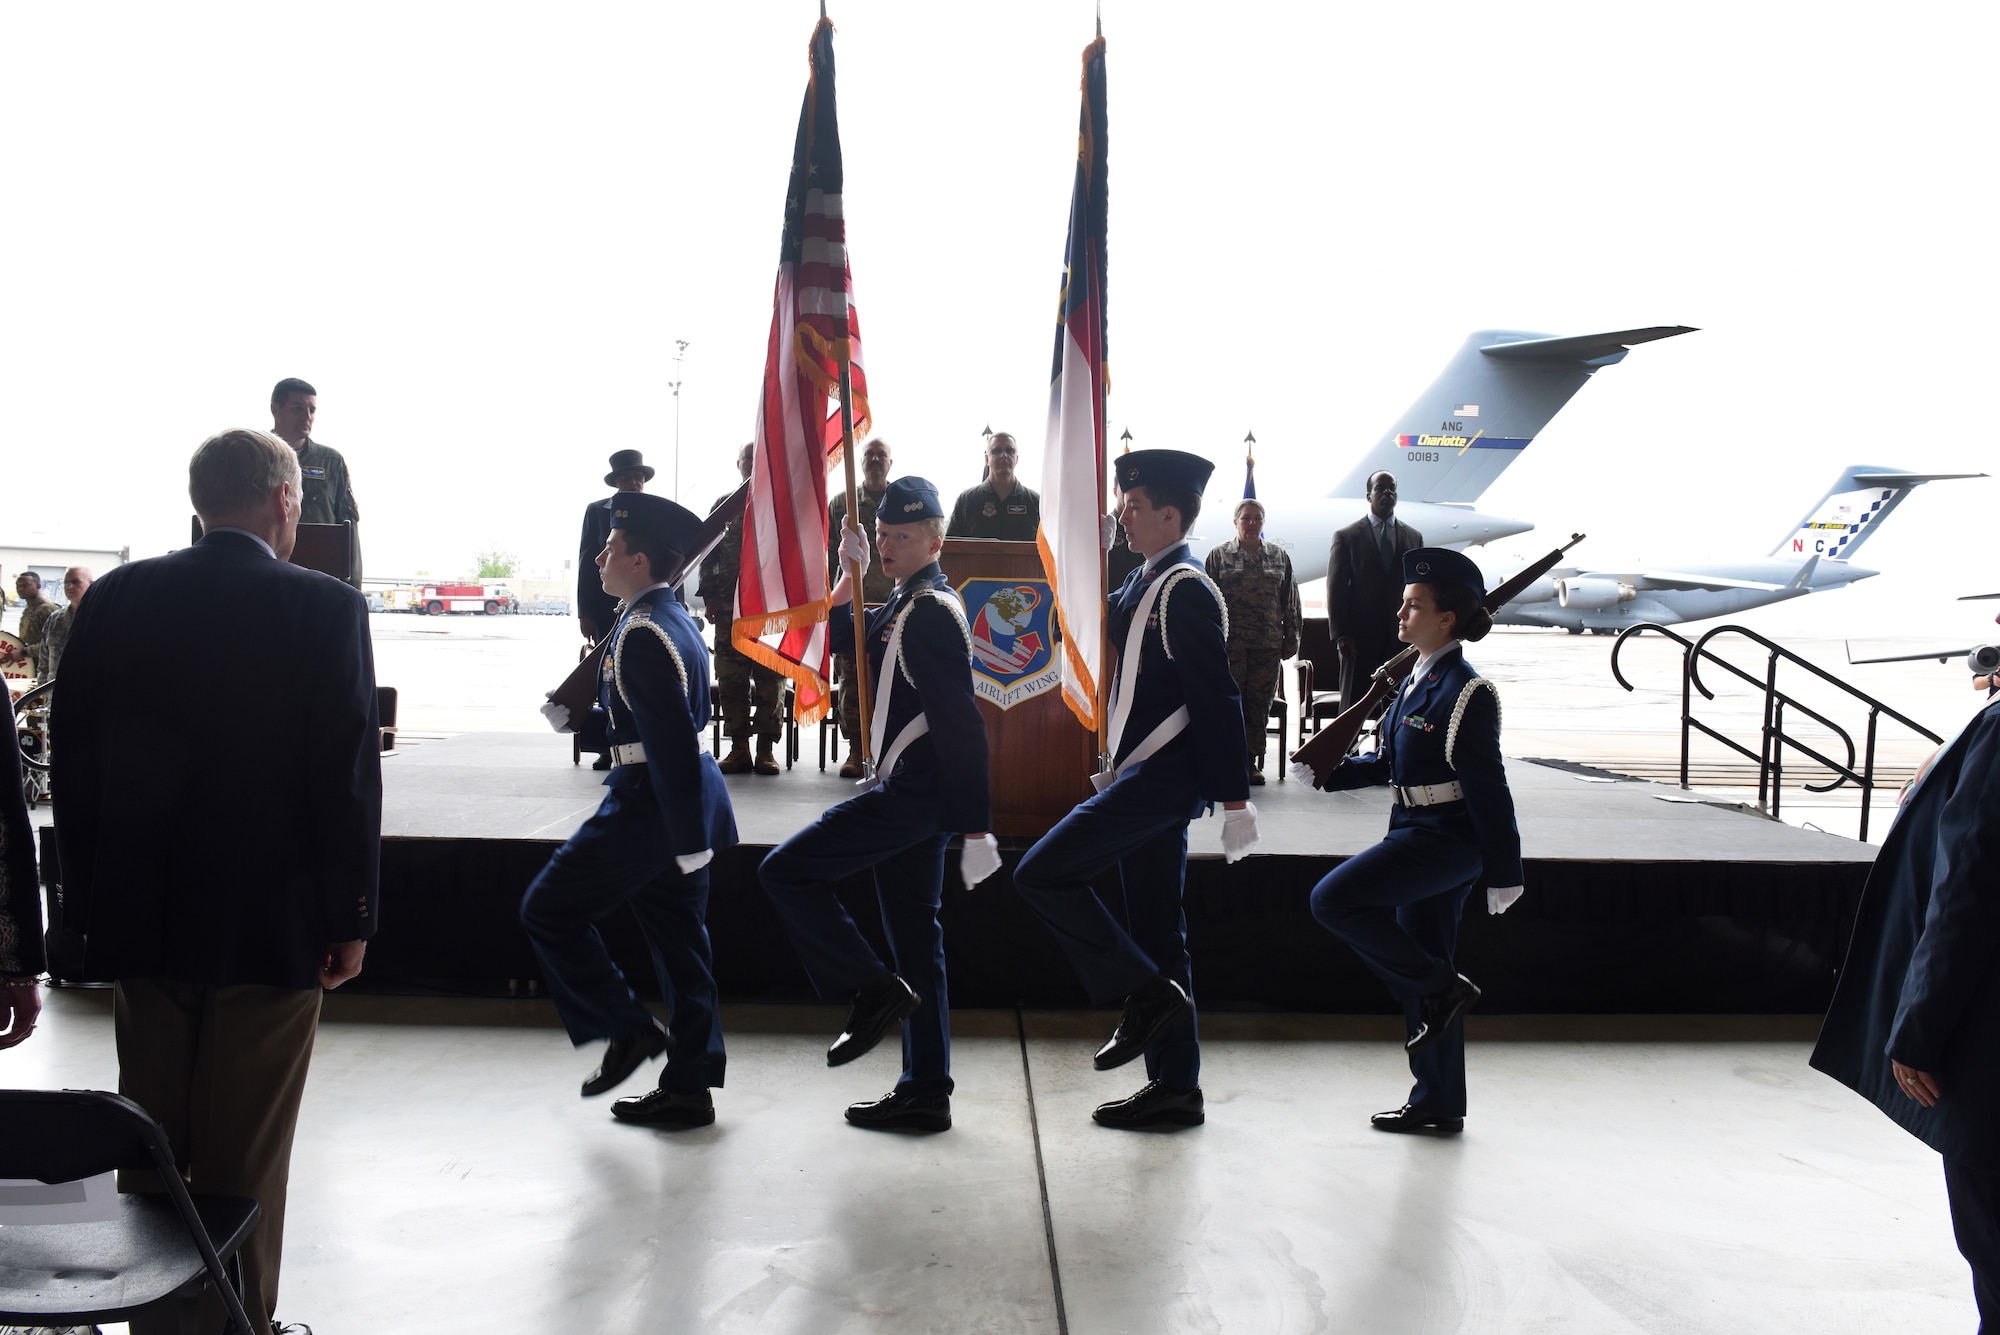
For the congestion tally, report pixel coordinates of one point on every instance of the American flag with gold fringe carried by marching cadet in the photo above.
(781, 587)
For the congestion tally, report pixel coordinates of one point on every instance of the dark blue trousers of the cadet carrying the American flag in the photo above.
(895, 832)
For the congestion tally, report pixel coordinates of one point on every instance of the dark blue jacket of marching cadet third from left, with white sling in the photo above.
(1183, 663)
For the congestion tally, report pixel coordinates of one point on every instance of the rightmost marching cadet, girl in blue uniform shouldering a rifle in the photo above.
(1451, 832)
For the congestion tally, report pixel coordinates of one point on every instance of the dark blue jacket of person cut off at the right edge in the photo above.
(1923, 976)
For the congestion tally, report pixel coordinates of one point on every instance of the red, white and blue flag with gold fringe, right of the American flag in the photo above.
(1073, 471)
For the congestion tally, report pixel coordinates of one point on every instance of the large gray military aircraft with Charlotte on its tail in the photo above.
(1449, 447)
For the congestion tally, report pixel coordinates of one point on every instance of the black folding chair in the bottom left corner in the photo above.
(155, 1252)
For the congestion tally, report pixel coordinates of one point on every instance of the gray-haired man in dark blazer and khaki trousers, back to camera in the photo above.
(223, 908)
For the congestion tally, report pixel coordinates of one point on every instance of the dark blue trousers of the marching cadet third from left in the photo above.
(1141, 828)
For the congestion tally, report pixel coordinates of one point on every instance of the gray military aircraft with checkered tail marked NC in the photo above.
(1813, 557)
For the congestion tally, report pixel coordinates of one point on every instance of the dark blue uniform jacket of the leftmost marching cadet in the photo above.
(655, 690)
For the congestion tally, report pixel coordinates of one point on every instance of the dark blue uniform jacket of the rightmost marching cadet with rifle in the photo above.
(1415, 734)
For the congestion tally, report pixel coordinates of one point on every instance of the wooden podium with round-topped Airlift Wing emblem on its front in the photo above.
(1041, 754)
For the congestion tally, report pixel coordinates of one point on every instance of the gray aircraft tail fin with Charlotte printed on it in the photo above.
(1483, 411)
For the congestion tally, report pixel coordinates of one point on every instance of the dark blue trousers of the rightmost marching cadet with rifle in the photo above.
(1397, 904)
